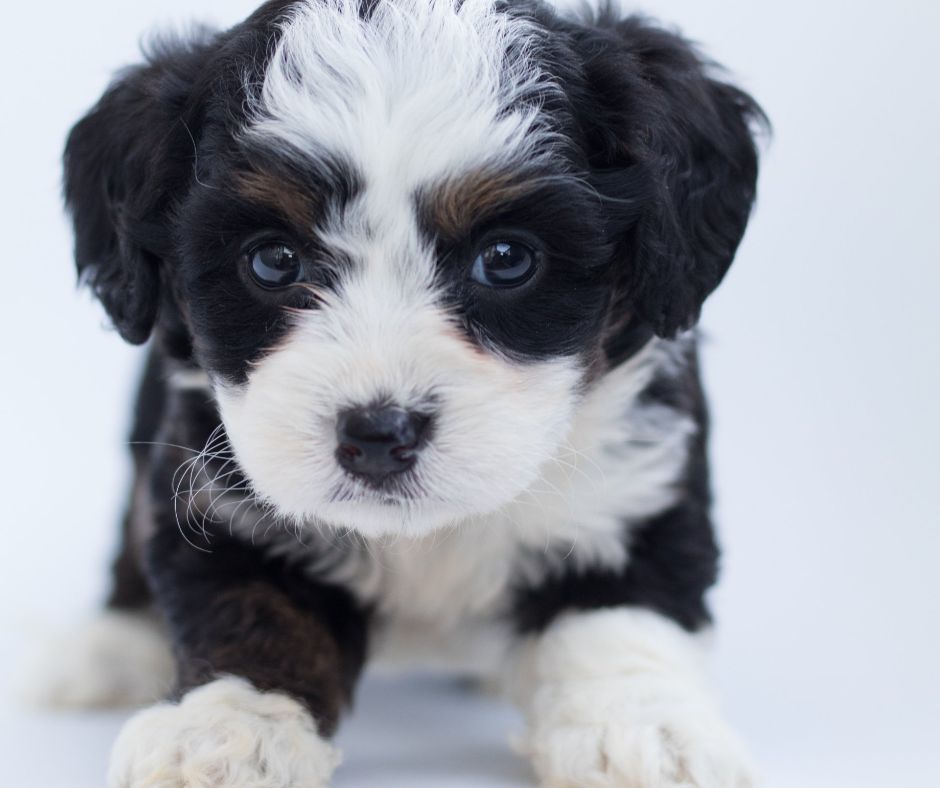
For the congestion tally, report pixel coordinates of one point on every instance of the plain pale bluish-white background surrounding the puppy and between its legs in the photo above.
(822, 367)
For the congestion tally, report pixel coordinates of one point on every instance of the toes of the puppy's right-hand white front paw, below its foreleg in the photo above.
(609, 734)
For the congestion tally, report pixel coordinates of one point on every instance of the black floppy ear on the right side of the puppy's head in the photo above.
(673, 151)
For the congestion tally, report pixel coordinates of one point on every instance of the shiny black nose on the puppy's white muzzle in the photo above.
(376, 442)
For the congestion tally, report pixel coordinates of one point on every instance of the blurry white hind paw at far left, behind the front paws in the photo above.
(116, 659)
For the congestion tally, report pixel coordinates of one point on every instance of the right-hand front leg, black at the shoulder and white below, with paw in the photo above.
(611, 675)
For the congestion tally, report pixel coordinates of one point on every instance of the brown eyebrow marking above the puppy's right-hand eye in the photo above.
(456, 204)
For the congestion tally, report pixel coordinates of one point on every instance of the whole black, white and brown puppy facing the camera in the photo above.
(419, 279)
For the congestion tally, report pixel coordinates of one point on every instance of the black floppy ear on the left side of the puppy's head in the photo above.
(124, 161)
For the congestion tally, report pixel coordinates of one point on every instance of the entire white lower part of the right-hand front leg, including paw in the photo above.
(616, 699)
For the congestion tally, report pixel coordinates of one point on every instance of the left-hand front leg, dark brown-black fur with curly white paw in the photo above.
(267, 658)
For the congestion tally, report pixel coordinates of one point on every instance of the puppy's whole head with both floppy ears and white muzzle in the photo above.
(404, 238)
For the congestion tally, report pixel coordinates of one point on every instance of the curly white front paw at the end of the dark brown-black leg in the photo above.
(224, 734)
